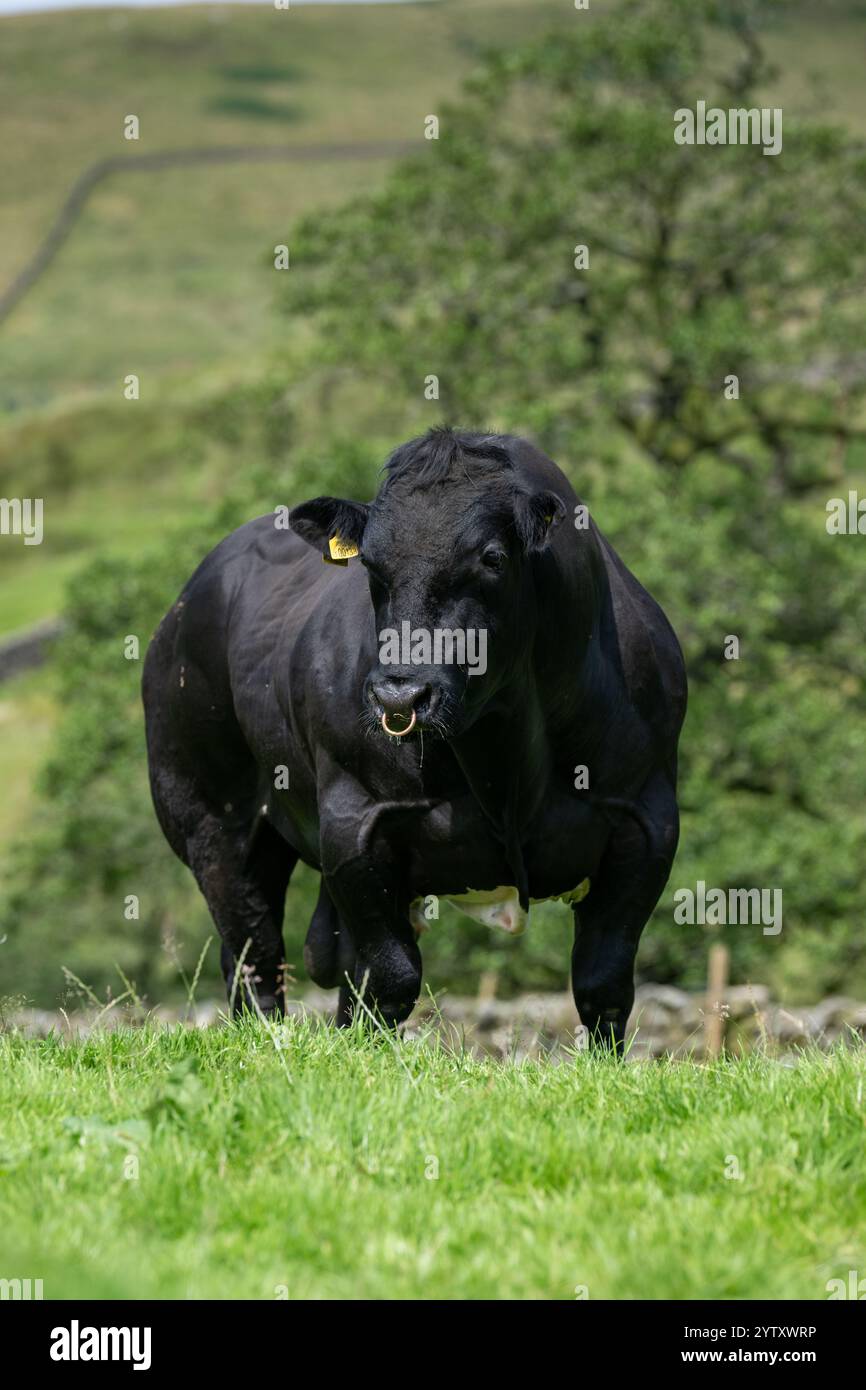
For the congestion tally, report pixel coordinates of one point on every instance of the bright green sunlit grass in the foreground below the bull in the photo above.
(307, 1168)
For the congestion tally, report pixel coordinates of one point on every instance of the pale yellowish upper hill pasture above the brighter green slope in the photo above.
(170, 272)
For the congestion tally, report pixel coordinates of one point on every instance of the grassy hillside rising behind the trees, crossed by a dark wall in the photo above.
(169, 273)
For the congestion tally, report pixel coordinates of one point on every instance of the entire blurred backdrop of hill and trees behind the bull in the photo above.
(451, 258)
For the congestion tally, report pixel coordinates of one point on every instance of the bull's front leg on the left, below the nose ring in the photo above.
(365, 876)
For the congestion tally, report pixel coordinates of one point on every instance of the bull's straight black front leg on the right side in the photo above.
(610, 921)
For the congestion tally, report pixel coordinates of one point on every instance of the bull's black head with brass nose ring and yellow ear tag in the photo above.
(448, 546)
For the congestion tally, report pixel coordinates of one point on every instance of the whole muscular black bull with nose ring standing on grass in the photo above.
(269, 712)
